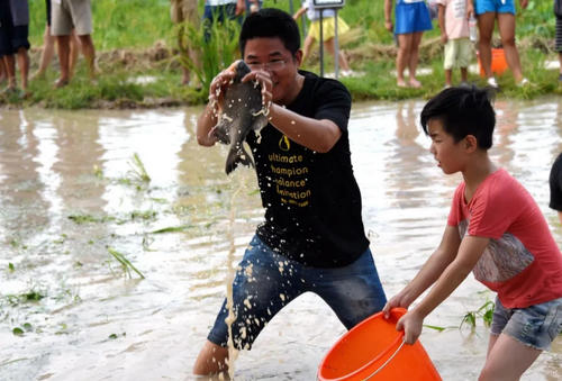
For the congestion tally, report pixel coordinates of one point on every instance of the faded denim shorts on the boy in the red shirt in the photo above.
(536, 326)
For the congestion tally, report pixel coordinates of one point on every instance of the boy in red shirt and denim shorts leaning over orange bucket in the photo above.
(496, 230)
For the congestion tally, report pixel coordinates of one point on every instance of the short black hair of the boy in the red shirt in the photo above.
(463, 111)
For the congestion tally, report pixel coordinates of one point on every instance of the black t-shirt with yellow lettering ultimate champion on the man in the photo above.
(312, 201)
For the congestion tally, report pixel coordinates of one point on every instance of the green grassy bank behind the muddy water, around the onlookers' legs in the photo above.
(139, 65)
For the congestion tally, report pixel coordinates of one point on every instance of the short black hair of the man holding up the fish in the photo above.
(271, 22)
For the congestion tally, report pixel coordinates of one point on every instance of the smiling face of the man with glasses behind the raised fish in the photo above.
(269, 54)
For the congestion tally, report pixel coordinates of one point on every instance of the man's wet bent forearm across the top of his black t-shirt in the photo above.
(317, 135)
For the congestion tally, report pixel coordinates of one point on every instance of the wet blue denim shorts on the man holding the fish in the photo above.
(267, 281)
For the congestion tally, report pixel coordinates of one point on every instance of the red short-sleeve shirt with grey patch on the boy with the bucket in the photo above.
(522, 263)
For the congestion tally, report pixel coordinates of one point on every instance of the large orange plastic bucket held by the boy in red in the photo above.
(373, 351)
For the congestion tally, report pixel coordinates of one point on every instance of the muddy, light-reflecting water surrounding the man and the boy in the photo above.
(68, 191)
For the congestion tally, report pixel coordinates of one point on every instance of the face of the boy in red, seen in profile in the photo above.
(448, 154)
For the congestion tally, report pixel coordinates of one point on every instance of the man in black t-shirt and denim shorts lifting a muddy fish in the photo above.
(313, 237)
